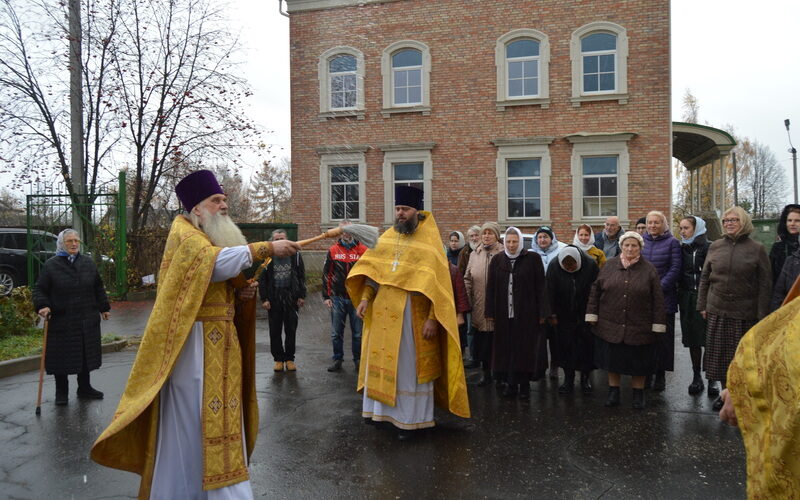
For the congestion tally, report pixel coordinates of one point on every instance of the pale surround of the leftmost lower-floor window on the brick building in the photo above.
(335, 157)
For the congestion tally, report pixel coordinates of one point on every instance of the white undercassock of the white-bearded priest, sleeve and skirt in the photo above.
(178, 470)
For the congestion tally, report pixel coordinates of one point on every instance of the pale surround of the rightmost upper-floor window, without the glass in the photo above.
(620, 94)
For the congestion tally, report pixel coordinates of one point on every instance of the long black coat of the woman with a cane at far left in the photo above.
(75, 295)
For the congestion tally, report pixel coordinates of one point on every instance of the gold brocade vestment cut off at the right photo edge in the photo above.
(764, 382)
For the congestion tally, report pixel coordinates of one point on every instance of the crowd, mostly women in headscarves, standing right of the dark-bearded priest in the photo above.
(609, 300)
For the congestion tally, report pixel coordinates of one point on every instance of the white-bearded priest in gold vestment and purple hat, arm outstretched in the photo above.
(187, 421)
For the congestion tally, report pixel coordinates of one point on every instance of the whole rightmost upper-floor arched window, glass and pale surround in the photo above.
(599, 53)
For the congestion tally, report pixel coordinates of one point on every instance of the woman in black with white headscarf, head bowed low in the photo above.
(569, 281)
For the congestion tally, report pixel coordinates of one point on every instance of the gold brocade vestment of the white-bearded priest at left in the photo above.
(129, 442)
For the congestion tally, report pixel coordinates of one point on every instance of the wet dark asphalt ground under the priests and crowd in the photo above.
(313, 442)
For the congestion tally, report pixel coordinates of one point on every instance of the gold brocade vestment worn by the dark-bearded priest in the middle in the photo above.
(422, 270)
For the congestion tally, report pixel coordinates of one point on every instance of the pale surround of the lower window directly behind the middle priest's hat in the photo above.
(405, 153)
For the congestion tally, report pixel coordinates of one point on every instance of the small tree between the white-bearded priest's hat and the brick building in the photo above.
(271, 190)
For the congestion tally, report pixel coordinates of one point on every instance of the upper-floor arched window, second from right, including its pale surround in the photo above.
(522, 59)
